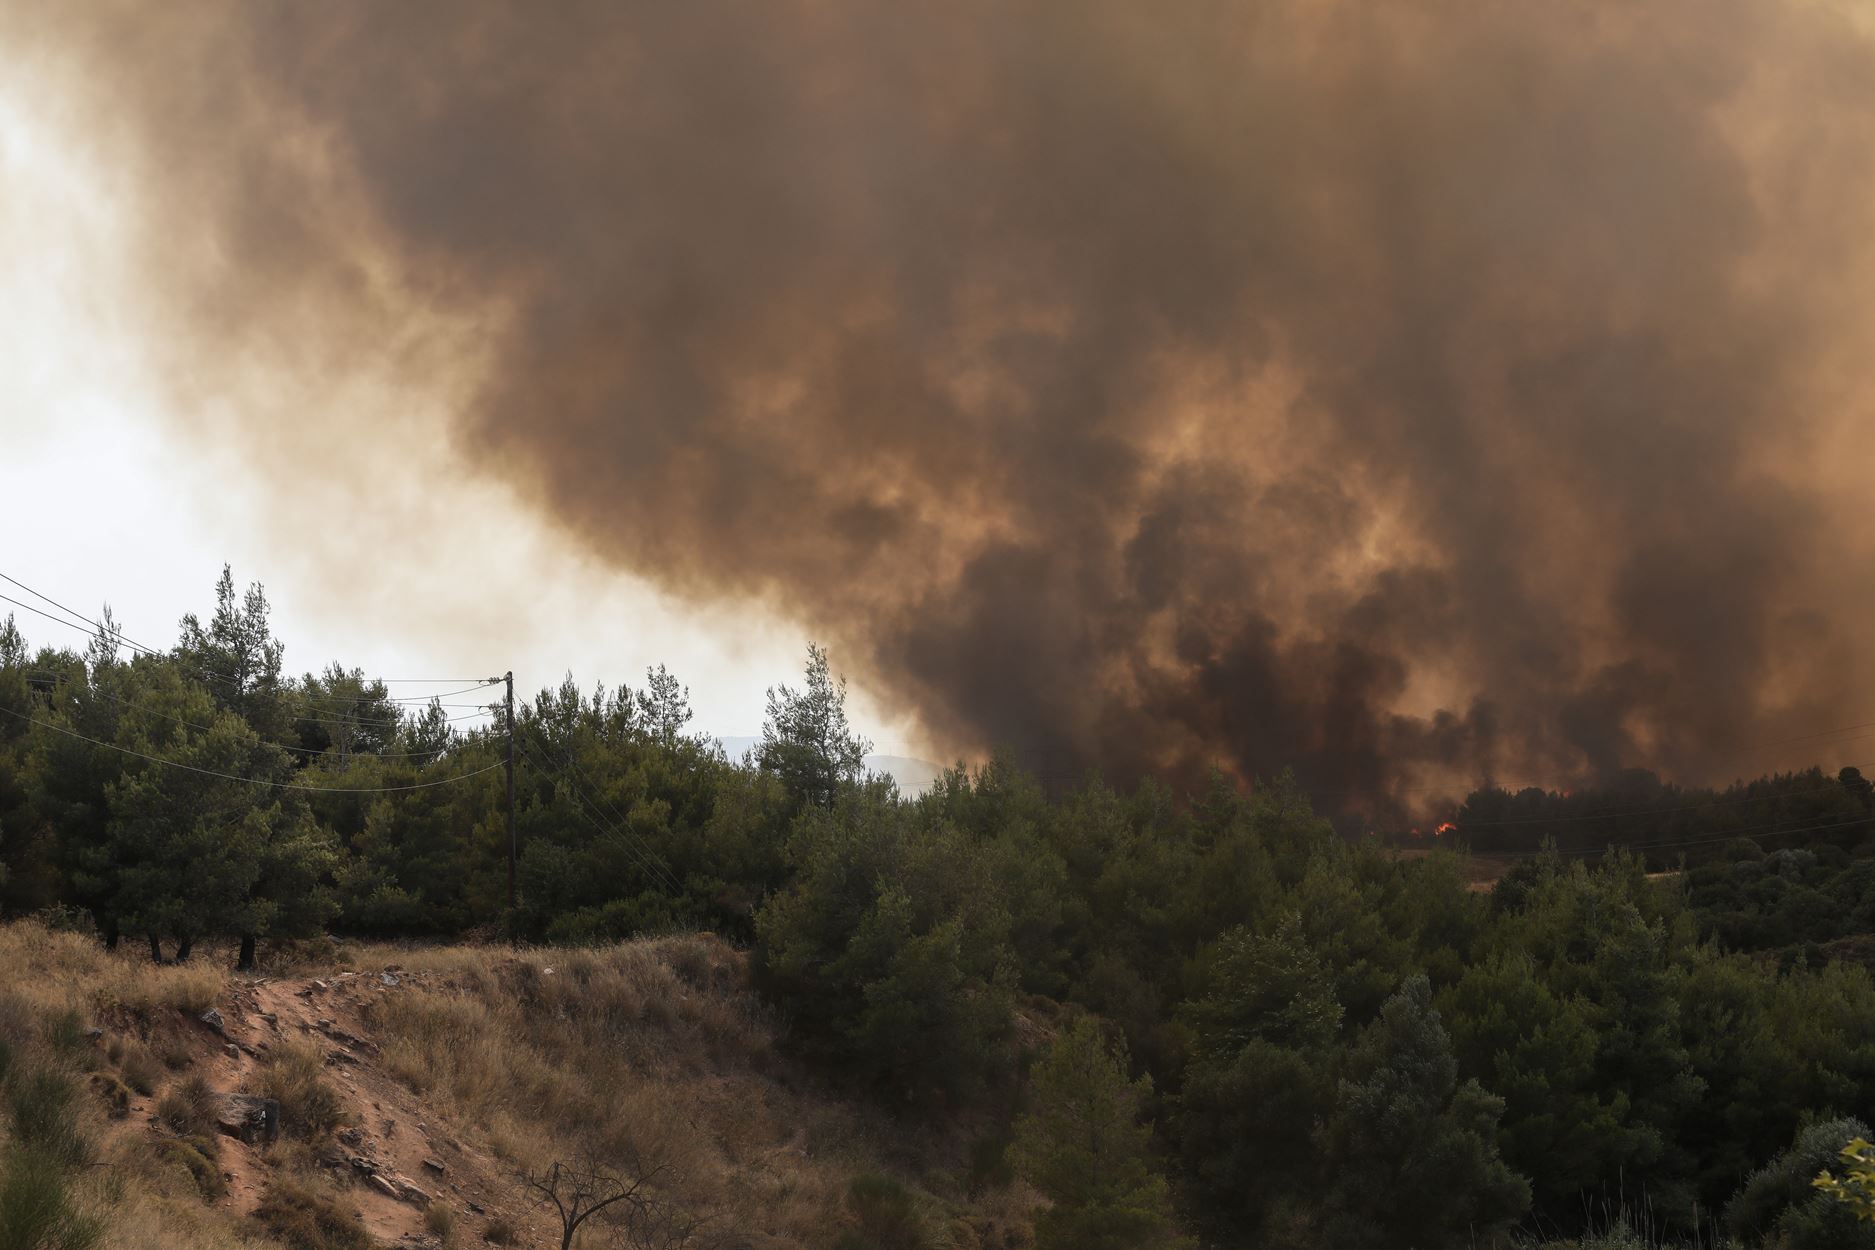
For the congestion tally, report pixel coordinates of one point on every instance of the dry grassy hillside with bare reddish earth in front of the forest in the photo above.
(417, 1088)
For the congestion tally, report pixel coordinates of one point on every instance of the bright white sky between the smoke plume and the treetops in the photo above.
(108, 498)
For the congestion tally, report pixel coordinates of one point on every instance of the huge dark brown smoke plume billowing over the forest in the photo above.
(1407, 394)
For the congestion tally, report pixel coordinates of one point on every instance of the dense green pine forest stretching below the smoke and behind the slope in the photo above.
(1169, 1011)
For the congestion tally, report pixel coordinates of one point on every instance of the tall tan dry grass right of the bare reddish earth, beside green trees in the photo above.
(652, 1054)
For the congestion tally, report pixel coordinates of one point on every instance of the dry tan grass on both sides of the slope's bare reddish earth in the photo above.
(644, 1054)
